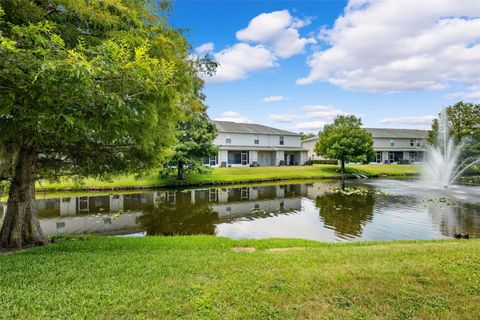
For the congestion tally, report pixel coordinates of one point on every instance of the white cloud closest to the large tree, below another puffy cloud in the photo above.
(236, 62)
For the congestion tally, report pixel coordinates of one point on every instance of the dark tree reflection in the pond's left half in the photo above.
(179, 217)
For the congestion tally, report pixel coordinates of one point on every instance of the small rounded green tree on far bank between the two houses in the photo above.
(345, 140)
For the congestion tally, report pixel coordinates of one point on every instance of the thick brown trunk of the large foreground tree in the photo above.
(20, 225)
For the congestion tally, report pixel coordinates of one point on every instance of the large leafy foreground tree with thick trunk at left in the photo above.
(87, 87)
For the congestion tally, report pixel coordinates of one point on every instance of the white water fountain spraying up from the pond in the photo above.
(443, 167)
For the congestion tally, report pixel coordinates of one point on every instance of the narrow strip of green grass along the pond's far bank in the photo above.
(234, 175)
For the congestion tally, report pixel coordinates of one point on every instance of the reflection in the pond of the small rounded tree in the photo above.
(346, 214)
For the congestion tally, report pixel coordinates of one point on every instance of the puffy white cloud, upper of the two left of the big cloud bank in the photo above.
(278, 31)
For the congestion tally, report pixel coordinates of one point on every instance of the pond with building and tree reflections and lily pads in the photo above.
(390, 210)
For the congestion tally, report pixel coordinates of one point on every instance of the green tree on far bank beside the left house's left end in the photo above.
(195, 136)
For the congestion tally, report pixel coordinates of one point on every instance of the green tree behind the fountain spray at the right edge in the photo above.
(464, 127)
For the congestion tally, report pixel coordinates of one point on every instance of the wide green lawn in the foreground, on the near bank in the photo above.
(201, 277)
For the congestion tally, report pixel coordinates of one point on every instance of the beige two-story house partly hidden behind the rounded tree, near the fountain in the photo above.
(390, 145)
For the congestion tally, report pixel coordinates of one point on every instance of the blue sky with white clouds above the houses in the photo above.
(296, 65)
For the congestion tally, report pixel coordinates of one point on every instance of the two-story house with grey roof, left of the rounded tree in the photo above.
(245, 144)
